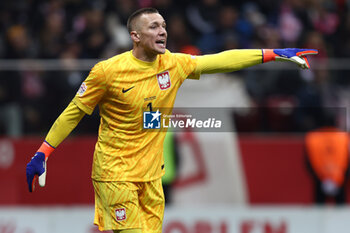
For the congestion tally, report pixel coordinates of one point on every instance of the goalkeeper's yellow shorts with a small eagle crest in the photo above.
(129, 205)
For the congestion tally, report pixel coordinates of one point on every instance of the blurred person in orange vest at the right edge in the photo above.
(327, 154)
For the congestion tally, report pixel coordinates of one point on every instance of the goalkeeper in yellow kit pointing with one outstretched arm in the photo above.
(128, 161)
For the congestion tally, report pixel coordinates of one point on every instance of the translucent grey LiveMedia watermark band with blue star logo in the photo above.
(244, 120)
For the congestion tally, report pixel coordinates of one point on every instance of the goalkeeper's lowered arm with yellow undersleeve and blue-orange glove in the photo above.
(62, 127)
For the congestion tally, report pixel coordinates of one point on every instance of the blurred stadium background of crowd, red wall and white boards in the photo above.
(252, 179)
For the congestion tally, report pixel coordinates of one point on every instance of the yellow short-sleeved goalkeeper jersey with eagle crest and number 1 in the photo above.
(124, 87)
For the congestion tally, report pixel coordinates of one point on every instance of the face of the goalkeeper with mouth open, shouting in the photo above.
(152, 33)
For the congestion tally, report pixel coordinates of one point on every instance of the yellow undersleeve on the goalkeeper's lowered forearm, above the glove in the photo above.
(64, 124)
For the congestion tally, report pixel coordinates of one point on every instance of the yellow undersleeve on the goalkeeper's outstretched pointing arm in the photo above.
(228, 61)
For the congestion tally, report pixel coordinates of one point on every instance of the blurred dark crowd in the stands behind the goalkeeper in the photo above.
(30, 100)
